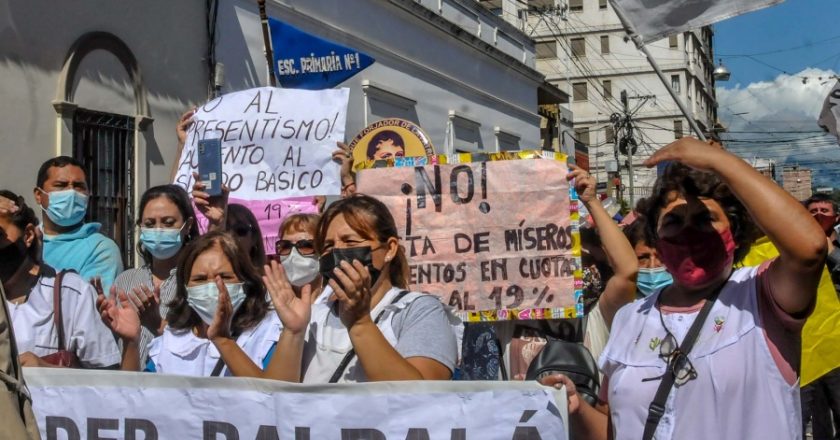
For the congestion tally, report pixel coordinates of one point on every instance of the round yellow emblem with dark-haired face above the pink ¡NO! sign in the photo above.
(388, 139)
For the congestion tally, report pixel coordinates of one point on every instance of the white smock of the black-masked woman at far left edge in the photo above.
(84, 332)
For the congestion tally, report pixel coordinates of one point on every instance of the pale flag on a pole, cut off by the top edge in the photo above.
(655, 19)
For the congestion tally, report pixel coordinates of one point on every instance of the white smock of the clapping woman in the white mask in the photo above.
(183, 353)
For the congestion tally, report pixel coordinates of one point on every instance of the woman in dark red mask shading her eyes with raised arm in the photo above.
(733, 374)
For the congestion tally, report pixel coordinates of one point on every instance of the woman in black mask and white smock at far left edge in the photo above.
(32, 289)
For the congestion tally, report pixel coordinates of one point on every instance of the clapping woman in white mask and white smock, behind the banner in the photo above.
(218, 322)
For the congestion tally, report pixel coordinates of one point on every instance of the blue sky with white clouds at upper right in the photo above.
(782, 60)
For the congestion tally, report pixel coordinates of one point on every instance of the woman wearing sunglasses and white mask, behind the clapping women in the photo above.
(296, 252)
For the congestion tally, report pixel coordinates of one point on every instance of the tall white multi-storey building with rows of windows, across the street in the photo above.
(581, 47)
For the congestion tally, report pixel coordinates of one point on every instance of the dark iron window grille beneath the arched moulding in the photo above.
(104, 143)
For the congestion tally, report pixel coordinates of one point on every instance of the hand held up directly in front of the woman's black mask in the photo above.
(353, 292)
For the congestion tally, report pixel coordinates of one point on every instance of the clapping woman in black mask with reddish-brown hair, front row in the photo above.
(370, 327)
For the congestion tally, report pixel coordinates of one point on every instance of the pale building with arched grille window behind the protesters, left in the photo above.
(105, 82)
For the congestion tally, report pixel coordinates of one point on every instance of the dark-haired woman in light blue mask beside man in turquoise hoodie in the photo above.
(167, 223)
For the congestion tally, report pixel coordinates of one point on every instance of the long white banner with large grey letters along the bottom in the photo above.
(78, 404)
